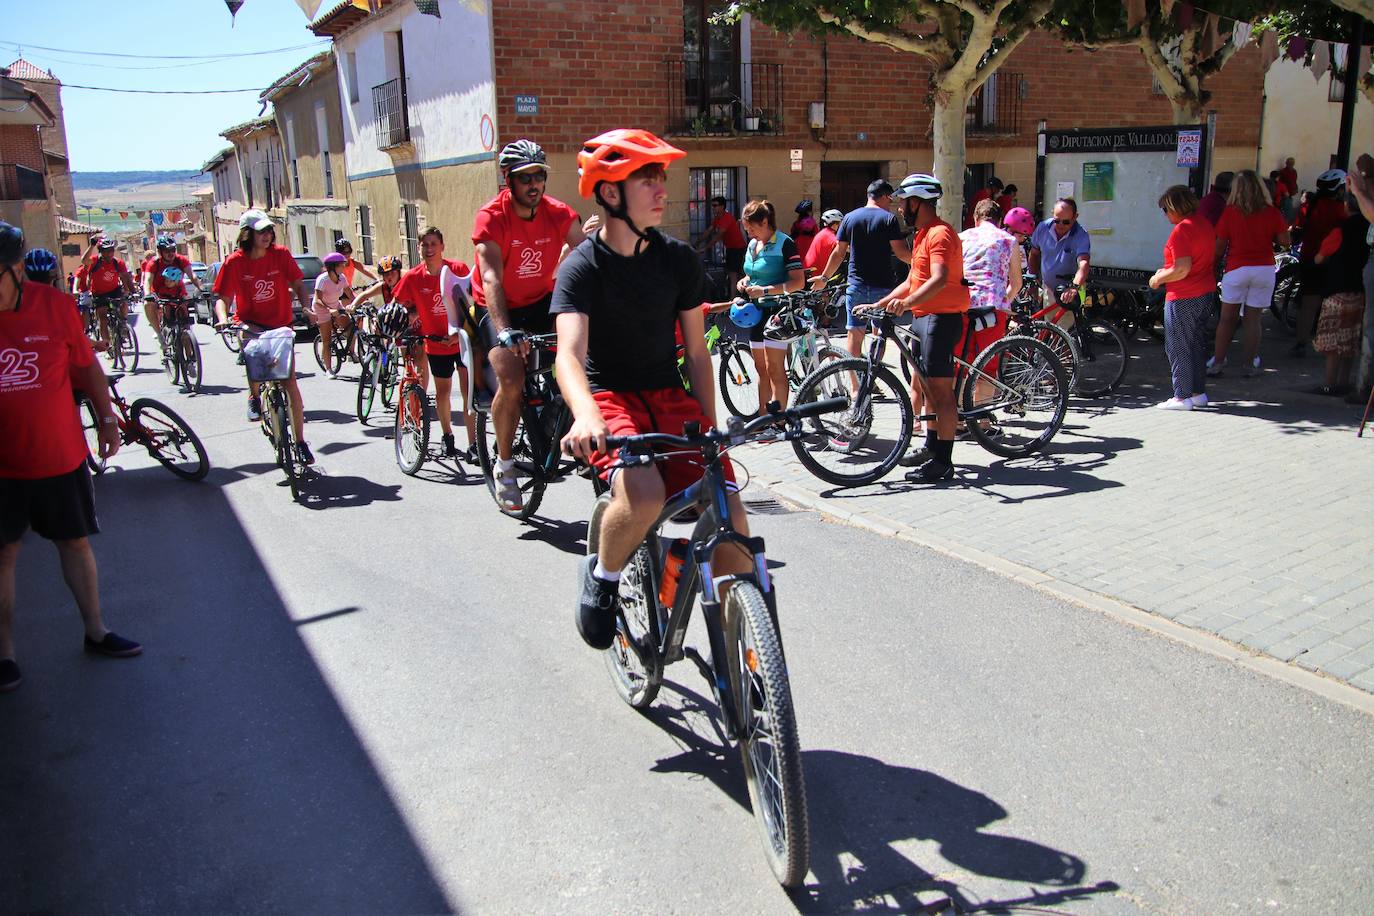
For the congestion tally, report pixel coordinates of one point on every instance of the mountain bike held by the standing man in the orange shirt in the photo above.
(1013, 399)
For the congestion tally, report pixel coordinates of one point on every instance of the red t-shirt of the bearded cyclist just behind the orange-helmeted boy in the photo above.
(530, 249)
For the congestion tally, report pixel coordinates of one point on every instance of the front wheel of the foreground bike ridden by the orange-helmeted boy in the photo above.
(769, 745)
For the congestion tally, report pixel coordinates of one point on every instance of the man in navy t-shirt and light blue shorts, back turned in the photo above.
(870, 238)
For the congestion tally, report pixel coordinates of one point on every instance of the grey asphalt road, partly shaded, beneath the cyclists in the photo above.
(376, 702)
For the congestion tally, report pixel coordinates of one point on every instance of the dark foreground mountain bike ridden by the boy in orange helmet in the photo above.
(748, 672)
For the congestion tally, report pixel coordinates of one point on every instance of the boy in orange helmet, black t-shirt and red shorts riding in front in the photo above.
(616, 301)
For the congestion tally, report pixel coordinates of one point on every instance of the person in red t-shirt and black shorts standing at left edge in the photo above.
(45, 483)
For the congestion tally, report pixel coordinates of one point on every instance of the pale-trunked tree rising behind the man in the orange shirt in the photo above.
(964, 41)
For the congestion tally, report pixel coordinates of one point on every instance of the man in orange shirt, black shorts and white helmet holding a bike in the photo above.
(939, 303)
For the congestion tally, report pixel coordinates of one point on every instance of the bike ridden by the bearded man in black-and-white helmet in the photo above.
(543, 422)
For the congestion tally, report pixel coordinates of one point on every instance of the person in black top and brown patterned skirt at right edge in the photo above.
(1342, 260)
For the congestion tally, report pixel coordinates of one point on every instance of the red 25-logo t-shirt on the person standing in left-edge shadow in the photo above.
(41, 344)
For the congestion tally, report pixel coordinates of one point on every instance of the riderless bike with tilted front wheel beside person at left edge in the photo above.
(150, 424)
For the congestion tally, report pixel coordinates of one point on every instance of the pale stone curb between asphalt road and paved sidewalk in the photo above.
(1246, 657)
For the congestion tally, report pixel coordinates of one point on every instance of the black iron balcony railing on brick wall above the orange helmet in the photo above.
(723, 100)
